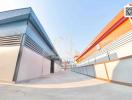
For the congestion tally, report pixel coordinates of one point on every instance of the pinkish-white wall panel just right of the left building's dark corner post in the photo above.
(30, 66)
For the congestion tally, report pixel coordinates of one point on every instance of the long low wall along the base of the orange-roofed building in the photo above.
(120, 70)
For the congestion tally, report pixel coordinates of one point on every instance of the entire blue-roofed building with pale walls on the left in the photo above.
(26, 51)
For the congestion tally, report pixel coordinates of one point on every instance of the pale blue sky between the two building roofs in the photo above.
(70, 24)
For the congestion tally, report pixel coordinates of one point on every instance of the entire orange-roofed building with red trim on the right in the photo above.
(109, 55)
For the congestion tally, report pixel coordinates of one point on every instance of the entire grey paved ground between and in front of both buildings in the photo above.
(65, 86)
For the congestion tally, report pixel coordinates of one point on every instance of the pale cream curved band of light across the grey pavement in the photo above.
(83, 83)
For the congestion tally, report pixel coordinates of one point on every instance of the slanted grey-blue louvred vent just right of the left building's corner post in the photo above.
(32, 45)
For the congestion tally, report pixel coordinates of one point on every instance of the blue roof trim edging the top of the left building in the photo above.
(26, 14)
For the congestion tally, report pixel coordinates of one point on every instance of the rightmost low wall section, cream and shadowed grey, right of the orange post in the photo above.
(120, 70)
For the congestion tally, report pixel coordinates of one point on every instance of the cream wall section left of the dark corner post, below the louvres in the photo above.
(8, 59)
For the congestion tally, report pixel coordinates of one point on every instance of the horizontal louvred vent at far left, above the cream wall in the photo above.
(10, 40)
